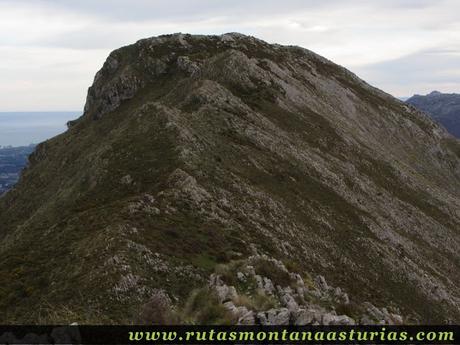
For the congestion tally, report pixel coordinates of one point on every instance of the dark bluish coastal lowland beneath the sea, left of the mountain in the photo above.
(12, 161)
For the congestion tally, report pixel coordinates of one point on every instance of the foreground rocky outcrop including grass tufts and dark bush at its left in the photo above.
(286, 298)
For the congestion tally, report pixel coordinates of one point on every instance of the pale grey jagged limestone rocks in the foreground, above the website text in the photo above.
(297, 303)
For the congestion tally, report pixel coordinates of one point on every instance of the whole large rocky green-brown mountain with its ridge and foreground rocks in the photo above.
(199, 157)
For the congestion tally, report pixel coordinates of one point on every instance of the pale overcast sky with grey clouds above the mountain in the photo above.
(50, 49)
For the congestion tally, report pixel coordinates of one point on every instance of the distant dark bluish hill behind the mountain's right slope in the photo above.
(443, 107)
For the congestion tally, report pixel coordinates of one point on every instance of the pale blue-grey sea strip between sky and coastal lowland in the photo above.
(25, 128)
